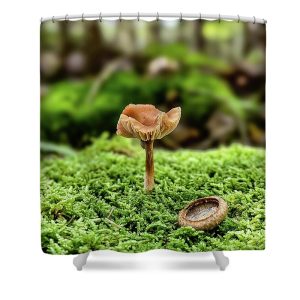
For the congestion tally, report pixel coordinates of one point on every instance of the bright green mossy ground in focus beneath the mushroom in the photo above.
(95, 199)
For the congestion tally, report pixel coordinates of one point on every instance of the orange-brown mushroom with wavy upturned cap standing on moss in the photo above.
(147, 123)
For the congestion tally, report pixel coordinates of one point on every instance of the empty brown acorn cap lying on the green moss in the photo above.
(204, 213)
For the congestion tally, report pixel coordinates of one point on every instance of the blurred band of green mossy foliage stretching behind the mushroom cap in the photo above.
(66, 117)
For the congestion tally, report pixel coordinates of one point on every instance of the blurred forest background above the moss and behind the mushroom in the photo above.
(91, 70)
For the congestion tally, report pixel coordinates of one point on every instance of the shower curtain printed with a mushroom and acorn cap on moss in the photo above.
(152, 135)
